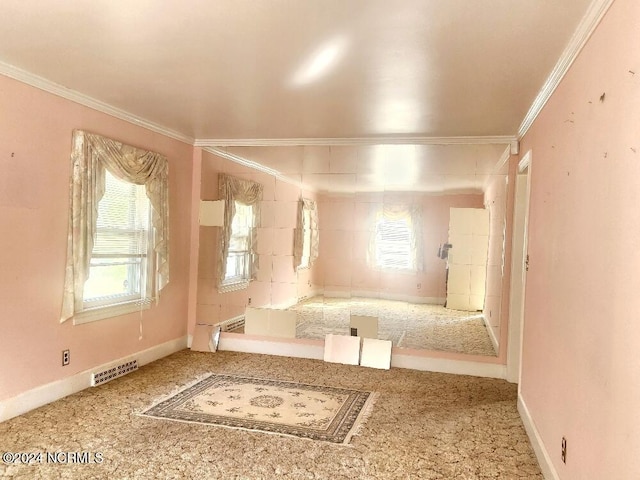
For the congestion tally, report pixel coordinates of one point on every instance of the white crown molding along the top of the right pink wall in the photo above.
(587, 25)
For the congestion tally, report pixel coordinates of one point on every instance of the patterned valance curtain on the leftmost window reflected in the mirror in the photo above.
(247, 192)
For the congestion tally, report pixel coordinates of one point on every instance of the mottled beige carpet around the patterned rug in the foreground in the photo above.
(423, 426)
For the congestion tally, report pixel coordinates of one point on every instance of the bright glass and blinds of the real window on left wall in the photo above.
(119, 265)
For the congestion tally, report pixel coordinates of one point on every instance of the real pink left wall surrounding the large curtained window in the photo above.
(35, 143)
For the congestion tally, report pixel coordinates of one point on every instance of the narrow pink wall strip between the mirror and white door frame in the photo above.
(519, 268)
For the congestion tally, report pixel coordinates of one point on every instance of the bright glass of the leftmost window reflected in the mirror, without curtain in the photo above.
(240, 241)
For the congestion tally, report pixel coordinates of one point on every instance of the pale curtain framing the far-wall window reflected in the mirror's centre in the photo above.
(412, 215)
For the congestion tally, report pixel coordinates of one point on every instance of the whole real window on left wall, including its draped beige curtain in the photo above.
(118, 233)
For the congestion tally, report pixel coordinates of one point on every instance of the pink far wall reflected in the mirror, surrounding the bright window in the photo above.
(344, 238)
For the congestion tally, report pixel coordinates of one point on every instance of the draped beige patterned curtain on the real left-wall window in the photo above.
(90, 155)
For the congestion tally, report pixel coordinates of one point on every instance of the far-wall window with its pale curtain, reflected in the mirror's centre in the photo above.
(396, 239)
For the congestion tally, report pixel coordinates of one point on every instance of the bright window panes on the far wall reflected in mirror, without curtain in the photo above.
(393, 243)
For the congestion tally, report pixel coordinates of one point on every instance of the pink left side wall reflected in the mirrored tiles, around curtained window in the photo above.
(277, 282)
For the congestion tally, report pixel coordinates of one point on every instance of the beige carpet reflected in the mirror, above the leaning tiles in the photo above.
(407, 325)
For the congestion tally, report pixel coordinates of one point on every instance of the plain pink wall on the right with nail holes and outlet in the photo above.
(581, 361)
